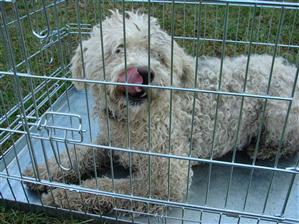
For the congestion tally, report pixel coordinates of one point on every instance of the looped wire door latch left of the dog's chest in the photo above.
(56, 126)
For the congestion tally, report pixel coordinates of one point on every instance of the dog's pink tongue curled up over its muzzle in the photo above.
(133, 77)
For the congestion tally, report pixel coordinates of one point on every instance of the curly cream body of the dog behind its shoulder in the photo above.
(238, 118)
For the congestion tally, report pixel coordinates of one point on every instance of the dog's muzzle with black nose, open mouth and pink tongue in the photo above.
(135, 75)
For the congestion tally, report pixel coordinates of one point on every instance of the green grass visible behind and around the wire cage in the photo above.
(261, 22)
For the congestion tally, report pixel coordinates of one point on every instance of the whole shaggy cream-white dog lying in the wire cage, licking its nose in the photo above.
(160, 177)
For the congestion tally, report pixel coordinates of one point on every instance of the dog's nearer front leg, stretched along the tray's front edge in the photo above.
(149, 182)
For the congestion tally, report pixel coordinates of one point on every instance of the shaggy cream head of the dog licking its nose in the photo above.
(133, 58)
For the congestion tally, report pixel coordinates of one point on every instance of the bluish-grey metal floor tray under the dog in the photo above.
(75, 103)
